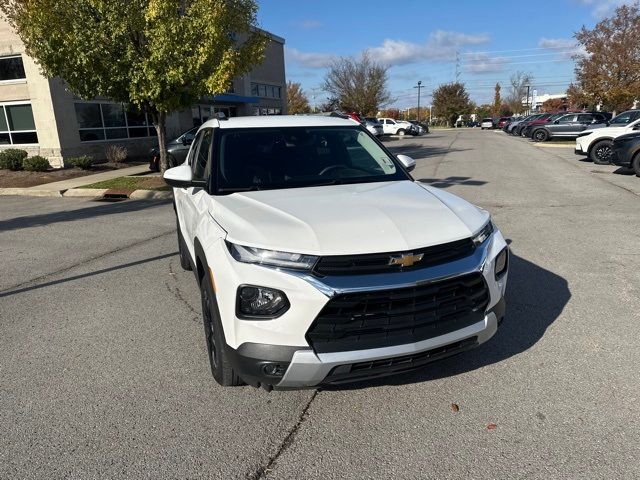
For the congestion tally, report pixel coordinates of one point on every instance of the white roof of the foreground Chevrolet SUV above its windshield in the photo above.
(266, 121)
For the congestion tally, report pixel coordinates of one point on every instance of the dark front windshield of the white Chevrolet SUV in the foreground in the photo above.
(288, 157)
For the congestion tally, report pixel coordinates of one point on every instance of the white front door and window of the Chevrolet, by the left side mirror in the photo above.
(195, 202)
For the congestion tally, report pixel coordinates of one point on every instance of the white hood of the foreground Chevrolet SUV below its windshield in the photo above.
(347, 219)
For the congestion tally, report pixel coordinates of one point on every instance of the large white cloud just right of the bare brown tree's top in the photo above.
(441, 46)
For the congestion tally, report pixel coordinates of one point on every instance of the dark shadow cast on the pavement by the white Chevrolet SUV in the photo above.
(535, 299)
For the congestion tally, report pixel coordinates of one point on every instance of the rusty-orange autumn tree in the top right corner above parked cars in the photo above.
(610, 68)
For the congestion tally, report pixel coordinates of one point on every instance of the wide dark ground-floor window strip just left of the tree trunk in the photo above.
(111, 121)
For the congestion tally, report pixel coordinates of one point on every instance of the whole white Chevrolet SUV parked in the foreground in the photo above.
(321, 261)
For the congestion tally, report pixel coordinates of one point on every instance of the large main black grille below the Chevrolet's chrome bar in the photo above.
(358, 321)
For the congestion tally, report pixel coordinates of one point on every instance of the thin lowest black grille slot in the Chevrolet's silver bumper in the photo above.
(395, 365)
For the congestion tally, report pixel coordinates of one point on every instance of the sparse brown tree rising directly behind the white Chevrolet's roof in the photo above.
(358, 84)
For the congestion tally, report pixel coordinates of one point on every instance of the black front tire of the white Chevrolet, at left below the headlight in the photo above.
(219, 361)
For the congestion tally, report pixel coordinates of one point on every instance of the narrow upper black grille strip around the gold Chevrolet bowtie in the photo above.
(379, 262)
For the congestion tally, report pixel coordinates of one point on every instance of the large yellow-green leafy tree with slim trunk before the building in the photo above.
(156, 55)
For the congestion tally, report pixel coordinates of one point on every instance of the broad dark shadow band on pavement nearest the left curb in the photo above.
(96, 210)
